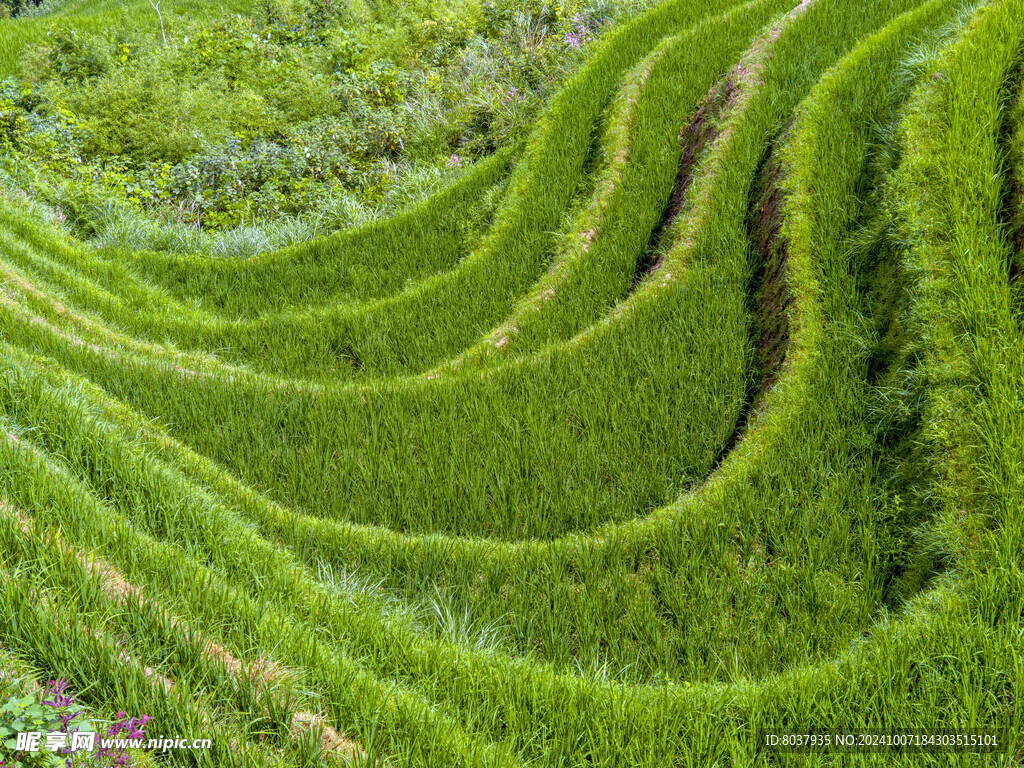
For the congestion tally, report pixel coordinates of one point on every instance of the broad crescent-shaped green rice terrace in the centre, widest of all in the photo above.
(614, 475)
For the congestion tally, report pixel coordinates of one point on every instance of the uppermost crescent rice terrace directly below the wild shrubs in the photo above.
(367, 263)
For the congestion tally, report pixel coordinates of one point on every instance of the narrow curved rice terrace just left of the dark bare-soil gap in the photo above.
(599, 265)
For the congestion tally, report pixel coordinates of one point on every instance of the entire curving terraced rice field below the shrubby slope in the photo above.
(773, 486)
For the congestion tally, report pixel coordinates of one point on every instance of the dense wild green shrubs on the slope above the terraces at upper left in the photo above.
(290, 89)
